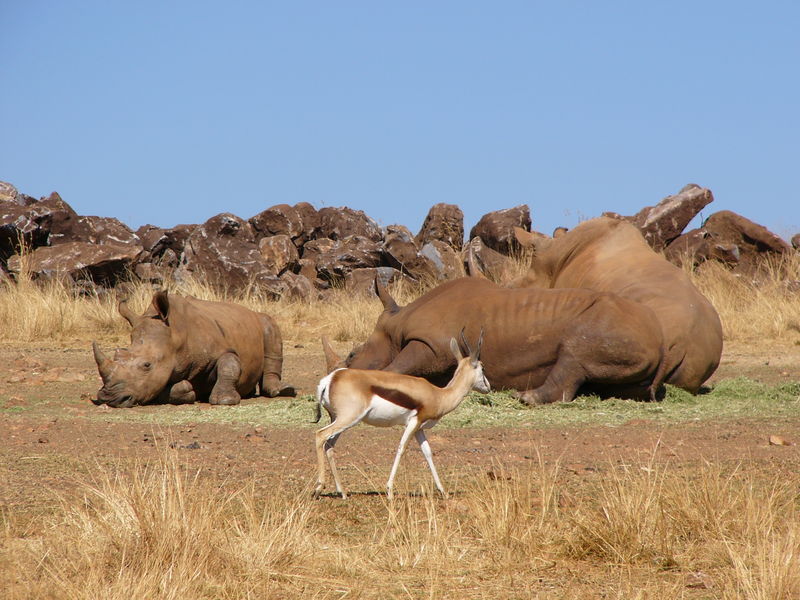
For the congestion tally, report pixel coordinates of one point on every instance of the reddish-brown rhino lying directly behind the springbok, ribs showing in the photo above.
(545, 343)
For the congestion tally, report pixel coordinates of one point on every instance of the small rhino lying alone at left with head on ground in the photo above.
(185, 350)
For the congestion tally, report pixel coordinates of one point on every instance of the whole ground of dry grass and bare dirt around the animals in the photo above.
(682, 498)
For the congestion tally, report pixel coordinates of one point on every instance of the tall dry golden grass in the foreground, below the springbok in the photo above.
(642, 530)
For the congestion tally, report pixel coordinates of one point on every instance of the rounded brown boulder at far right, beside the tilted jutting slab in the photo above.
(754, 242)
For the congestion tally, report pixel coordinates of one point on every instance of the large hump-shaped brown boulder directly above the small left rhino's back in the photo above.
(223, 252)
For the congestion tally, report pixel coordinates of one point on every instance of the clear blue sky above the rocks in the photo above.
(171, 112)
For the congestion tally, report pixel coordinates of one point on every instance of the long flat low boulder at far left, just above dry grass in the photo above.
(102, 264)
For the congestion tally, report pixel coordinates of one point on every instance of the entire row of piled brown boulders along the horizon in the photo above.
(300, 252)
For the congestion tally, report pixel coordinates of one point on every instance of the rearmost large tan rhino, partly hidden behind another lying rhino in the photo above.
(609, 255)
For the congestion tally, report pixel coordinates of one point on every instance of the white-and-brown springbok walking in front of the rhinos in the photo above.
(383, 399)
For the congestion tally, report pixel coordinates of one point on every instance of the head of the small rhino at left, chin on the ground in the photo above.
(138, 374)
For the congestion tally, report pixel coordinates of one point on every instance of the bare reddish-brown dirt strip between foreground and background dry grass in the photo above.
(46, 448)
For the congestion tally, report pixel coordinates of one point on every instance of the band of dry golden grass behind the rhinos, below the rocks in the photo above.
(766, 308)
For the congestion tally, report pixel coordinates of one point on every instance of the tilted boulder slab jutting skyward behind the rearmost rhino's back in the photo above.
(664, 222)
